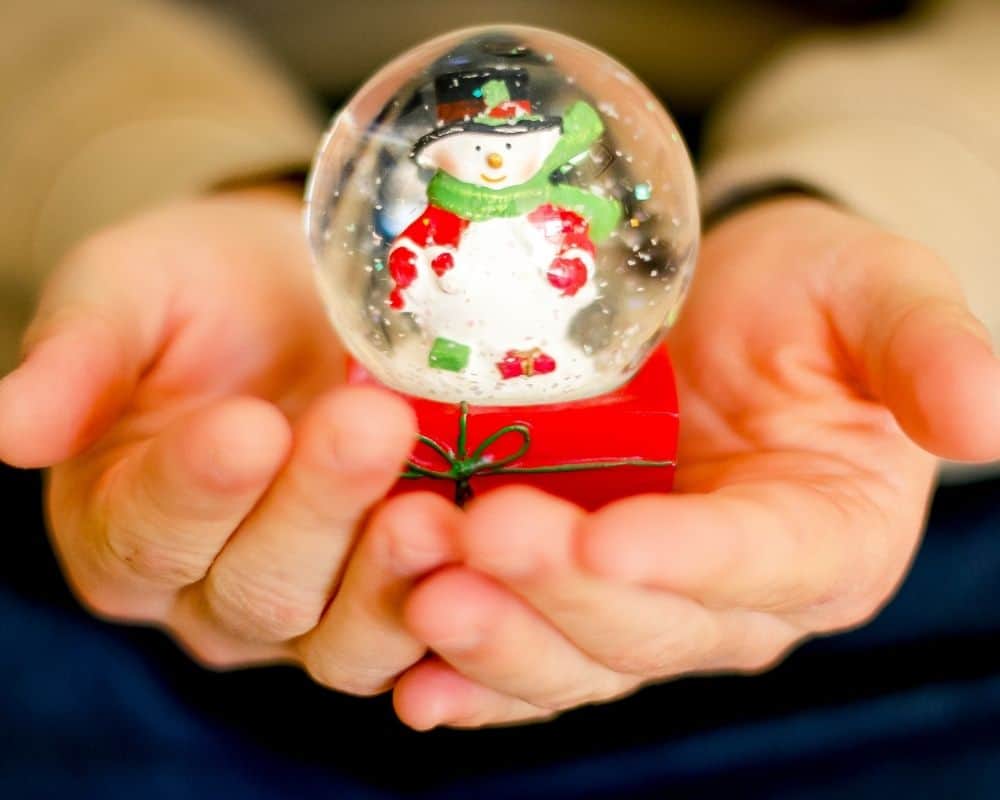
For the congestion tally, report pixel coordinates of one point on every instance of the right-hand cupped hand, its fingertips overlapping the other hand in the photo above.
(816, 356)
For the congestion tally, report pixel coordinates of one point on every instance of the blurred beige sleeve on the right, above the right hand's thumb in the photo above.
(901, 124)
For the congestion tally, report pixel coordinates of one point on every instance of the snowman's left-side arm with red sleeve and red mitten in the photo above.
(431, 238)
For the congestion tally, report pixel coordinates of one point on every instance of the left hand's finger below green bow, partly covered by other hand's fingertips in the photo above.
(360, 646)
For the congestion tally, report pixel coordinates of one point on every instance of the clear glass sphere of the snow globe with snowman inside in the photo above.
(503, 216)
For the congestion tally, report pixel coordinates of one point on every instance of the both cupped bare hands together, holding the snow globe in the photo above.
(208, 474)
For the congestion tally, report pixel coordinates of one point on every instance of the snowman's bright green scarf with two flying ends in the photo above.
(581, 128)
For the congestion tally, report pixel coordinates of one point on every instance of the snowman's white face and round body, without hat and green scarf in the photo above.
(498, 298)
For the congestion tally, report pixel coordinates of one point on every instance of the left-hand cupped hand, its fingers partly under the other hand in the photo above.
(206, 477)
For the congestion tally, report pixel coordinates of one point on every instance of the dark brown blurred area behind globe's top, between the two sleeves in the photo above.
(689, 52)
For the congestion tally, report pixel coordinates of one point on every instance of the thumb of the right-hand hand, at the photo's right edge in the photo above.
(902, 317)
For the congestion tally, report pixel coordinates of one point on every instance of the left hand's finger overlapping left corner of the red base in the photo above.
(278, 572)
